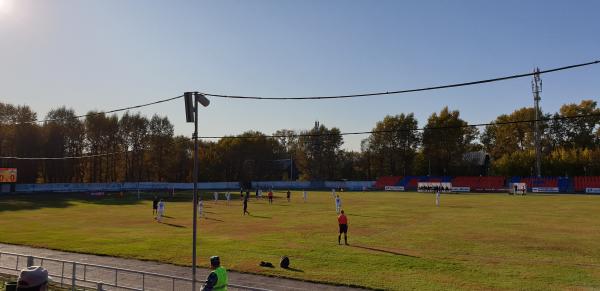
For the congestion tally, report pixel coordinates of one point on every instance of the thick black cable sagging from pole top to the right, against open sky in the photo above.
(407, 90)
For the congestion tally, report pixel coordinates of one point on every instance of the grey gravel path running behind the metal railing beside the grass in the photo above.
(150, 283)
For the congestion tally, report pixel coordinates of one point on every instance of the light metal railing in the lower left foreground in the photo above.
(78, 275)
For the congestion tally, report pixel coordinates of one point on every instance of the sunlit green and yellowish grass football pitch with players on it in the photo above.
(397, 240)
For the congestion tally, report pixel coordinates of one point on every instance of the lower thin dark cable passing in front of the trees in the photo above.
(325, 134)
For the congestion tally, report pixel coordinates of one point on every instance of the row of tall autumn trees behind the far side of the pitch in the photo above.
(134, 147)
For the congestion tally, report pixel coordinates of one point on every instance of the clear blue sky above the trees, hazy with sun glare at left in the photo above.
(113, 53)
